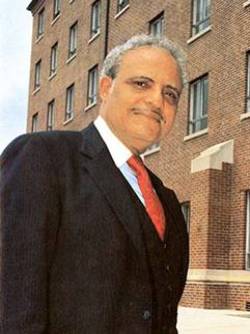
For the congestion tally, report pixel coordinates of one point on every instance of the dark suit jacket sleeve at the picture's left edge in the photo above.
(29, 209)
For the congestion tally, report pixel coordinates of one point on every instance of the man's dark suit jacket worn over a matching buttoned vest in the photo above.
(72, 255)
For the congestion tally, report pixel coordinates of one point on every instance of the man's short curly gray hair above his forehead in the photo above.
(113, 59)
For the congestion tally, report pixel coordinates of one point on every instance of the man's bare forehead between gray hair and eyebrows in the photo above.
(149, 60)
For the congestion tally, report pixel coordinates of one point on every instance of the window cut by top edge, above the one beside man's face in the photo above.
(201, 15)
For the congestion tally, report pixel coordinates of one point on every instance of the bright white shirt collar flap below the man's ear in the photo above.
(119, 152)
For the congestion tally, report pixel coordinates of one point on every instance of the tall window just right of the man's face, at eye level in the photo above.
(198, 105)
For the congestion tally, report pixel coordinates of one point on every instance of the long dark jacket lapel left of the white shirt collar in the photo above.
(97, 161)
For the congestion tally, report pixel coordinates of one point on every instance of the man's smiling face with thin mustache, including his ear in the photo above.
(140, 104)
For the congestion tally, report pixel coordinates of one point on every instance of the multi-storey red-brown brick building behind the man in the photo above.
(206, 157)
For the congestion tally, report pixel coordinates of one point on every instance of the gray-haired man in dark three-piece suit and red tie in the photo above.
(85, 249)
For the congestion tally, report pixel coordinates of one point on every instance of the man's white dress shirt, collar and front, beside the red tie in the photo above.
(119, 153)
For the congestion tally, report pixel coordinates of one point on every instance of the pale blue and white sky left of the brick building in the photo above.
(15, 46)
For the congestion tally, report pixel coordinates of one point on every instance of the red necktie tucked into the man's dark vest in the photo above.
(152, 202)
